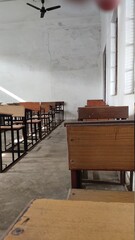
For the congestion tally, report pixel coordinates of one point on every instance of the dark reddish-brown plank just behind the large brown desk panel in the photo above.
(103, 113)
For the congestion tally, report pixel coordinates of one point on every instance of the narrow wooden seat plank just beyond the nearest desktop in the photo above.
(101, 196)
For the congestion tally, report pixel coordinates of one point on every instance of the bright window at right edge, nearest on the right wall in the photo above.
(129, 46)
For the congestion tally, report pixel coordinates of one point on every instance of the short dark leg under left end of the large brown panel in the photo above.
(76, 178)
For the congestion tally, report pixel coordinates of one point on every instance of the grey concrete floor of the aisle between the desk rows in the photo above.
(42, 173)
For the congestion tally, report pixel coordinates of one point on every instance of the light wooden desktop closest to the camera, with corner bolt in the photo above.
(71, 220)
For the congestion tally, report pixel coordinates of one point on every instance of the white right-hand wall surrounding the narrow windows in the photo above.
(120, 98)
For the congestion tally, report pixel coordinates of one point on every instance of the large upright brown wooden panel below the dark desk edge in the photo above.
(101, 147)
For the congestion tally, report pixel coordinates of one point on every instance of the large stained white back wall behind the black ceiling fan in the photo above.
(55, 58)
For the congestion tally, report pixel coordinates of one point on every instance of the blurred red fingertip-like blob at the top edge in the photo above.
(107, 5)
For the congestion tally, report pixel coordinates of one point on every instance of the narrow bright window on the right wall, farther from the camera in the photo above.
(113, 55)
